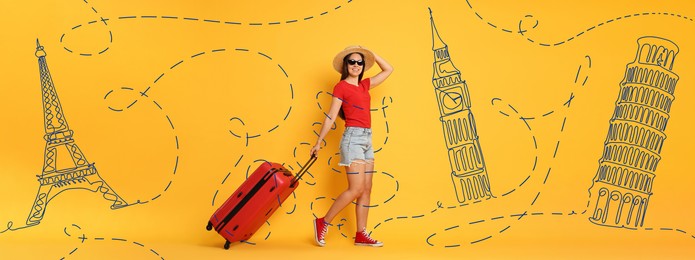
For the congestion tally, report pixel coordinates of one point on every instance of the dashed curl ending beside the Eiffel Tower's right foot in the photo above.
(171, 125)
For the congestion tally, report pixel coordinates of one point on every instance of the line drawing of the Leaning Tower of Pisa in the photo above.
(635, 137)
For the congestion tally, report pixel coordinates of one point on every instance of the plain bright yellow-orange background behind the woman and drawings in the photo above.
(135, 150)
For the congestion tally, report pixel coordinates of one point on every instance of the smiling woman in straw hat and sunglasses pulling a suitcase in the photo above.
(352, 101)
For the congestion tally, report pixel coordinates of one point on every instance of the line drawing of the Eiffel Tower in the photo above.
(79, 173)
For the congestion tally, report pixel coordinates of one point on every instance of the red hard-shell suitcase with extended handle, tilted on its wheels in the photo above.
(254, 201)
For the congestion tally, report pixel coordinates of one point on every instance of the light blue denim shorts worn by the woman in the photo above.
(356, 144)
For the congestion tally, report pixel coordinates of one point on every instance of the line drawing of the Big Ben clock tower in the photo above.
(468, 171)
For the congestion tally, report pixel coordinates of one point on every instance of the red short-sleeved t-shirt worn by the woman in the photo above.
(356, 102)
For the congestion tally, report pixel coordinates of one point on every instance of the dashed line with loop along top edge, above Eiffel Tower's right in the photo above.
(180, 18)
